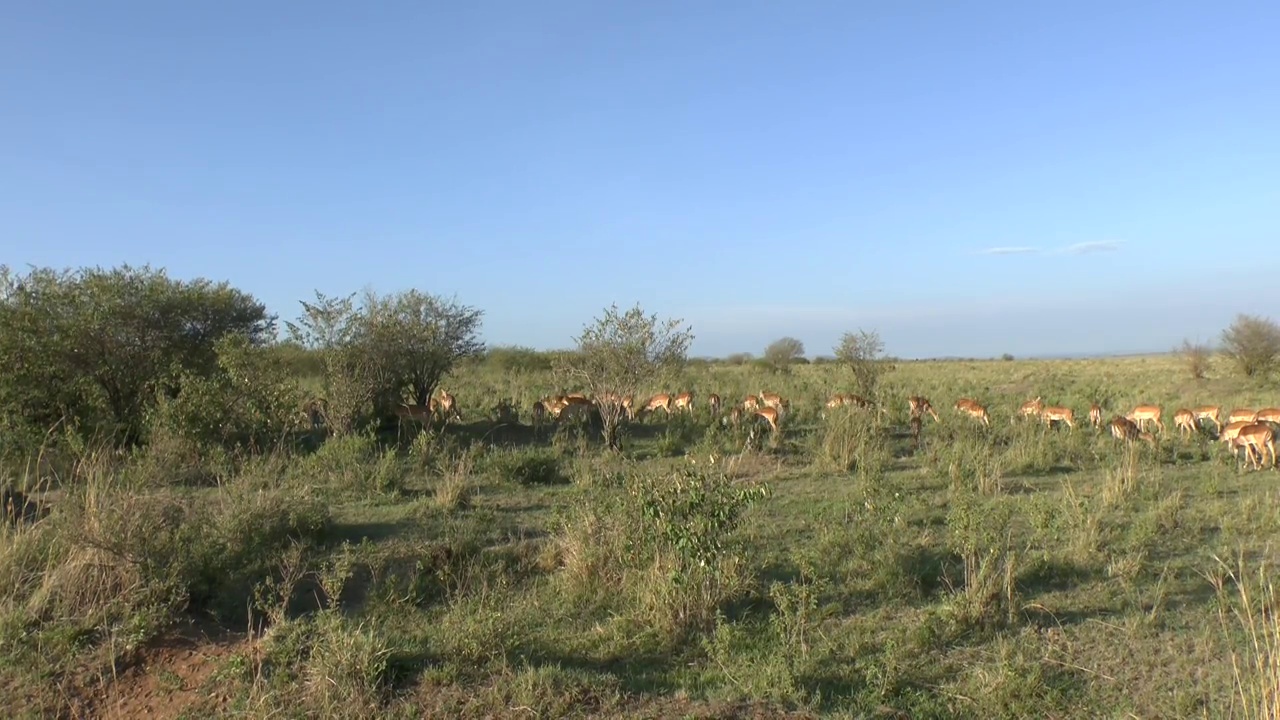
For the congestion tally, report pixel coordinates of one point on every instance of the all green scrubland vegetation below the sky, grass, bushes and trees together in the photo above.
(188, 536)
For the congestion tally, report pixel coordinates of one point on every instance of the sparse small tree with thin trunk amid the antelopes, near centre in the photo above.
(618, 354)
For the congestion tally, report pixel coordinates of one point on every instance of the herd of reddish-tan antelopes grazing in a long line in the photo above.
(1252, 431)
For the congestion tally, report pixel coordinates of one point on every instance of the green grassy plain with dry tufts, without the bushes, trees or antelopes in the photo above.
(835, 571)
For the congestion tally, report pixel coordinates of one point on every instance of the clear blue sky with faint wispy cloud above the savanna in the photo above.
(968, 179)
